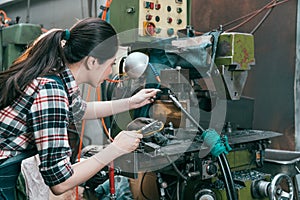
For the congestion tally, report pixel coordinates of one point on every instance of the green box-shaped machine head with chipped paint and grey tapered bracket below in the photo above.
(234, 58)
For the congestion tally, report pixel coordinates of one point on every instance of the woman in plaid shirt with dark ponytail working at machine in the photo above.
(36, 109)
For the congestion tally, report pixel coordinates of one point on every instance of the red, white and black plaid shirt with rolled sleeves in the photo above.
(38, 121)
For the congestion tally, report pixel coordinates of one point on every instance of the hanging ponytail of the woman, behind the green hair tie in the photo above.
(44, 56)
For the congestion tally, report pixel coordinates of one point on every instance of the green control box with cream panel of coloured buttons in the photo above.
(145, 21)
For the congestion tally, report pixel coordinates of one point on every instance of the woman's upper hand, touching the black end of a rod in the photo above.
(143, 97)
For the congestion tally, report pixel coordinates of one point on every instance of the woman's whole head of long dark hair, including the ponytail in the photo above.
(88, 37)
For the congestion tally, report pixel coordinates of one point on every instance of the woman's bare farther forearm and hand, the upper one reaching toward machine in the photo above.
(98, 109)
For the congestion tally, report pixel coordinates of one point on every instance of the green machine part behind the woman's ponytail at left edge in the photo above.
(14, 40)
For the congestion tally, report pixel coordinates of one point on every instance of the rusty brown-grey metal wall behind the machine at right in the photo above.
(271, 81)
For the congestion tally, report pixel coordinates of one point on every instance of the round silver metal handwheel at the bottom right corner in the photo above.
(281, 188)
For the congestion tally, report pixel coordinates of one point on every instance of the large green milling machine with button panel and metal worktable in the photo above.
(201, 78)
